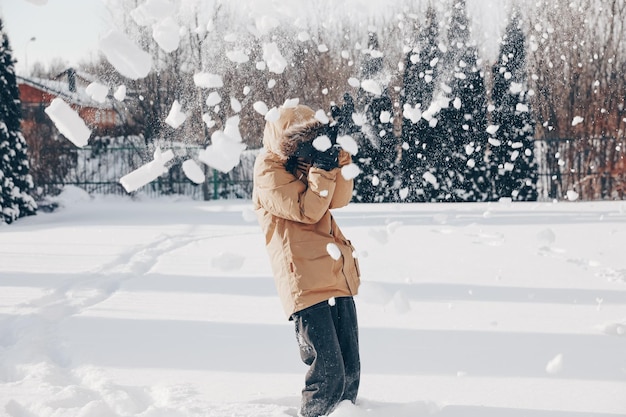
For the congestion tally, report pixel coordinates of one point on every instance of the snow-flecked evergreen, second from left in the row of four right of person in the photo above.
(420, 73)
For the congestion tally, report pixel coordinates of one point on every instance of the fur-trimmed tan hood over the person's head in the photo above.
(293, 126)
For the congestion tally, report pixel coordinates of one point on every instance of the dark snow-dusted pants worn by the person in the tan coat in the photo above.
(329, 344)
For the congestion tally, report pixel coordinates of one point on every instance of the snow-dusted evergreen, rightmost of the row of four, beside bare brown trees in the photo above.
(513, 169)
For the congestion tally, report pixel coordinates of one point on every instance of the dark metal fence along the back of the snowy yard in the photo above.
(594, 168)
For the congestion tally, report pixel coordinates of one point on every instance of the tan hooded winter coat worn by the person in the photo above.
(300, 232)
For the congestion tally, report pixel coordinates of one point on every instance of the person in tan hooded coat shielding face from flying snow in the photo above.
(315, 271)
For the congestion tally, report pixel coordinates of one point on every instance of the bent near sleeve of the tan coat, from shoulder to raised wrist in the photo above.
(285, 196)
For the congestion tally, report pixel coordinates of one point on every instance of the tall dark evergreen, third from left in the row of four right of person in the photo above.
(458, 153)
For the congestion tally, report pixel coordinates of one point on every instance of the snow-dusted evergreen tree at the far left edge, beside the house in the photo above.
(15, 181)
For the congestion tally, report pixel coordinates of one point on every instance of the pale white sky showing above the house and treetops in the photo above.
(70, 29)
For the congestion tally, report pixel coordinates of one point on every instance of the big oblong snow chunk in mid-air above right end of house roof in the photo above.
(127, 58)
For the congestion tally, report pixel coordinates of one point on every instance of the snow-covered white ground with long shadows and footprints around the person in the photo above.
(111, 307)
